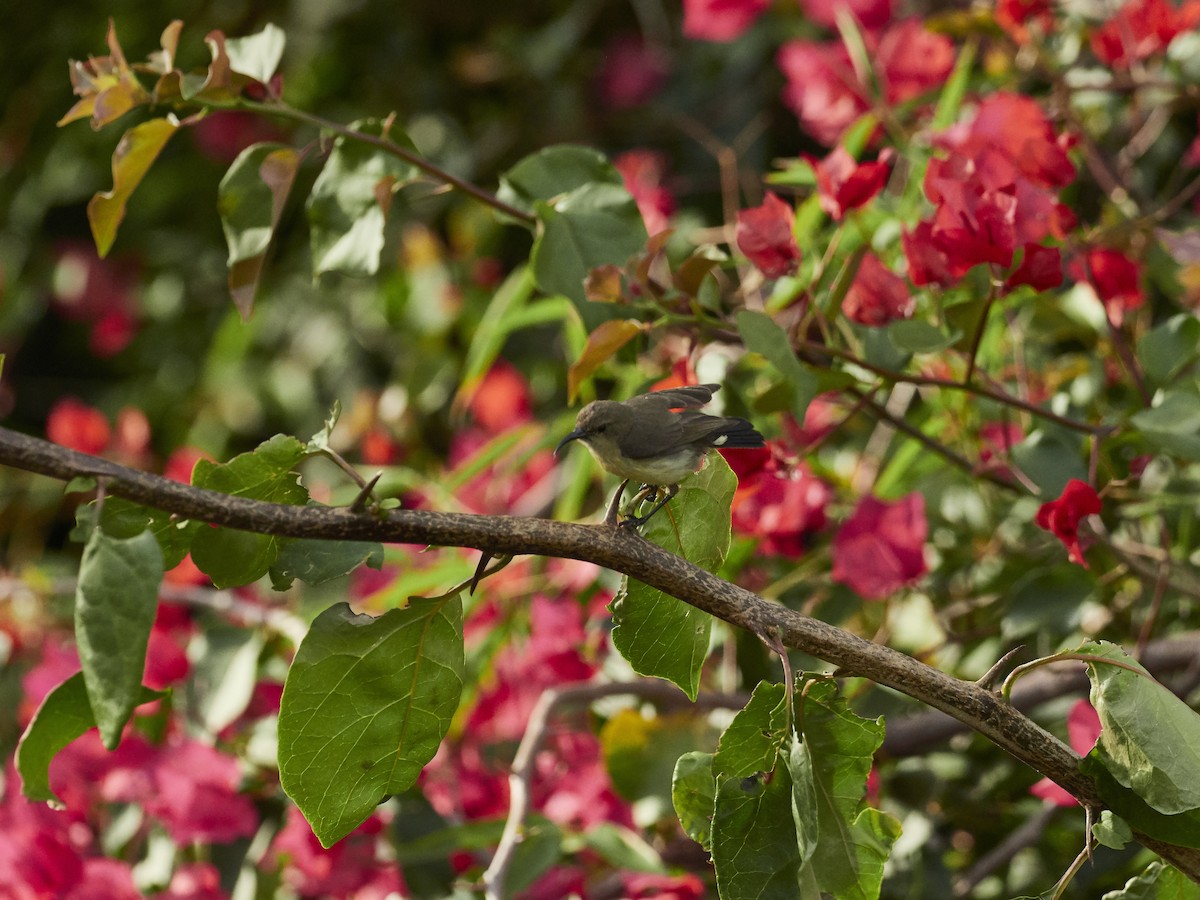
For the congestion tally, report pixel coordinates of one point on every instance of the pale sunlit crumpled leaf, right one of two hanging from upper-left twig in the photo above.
(347, 205)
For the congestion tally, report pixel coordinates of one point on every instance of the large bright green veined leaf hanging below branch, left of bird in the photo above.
(365, 707)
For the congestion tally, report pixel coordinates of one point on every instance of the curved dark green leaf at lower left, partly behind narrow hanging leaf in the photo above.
(64, 716)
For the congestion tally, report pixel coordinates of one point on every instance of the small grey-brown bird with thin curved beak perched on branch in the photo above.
(657, 440)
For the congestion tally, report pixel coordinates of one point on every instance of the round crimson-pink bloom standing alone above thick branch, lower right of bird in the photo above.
(881, 548)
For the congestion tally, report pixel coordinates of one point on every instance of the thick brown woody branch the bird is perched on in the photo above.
(617, 549)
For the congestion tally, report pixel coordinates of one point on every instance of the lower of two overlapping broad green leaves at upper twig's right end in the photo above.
(592, 226)
